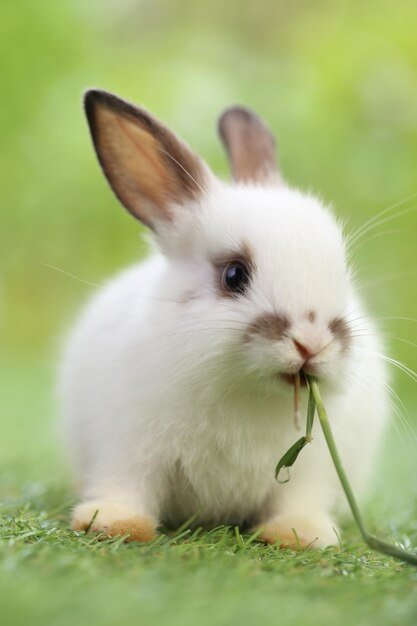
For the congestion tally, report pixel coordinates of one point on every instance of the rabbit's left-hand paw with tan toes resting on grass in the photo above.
(113, 519)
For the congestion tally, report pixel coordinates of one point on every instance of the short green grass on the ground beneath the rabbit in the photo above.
(206, 578)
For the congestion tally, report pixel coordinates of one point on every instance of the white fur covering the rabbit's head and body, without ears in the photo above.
(170, 410)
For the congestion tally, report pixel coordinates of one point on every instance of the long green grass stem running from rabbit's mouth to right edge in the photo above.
(371, 540)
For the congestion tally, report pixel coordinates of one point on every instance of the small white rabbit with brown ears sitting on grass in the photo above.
(176, 384)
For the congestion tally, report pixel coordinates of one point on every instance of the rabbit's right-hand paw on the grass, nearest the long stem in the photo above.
(300, 531)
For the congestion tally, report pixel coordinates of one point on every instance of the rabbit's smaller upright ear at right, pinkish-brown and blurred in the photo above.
(250, 146)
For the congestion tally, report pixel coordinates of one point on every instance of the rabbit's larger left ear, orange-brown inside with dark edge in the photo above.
(148, 167)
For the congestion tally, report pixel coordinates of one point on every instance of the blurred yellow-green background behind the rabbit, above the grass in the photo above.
(335, 80)
